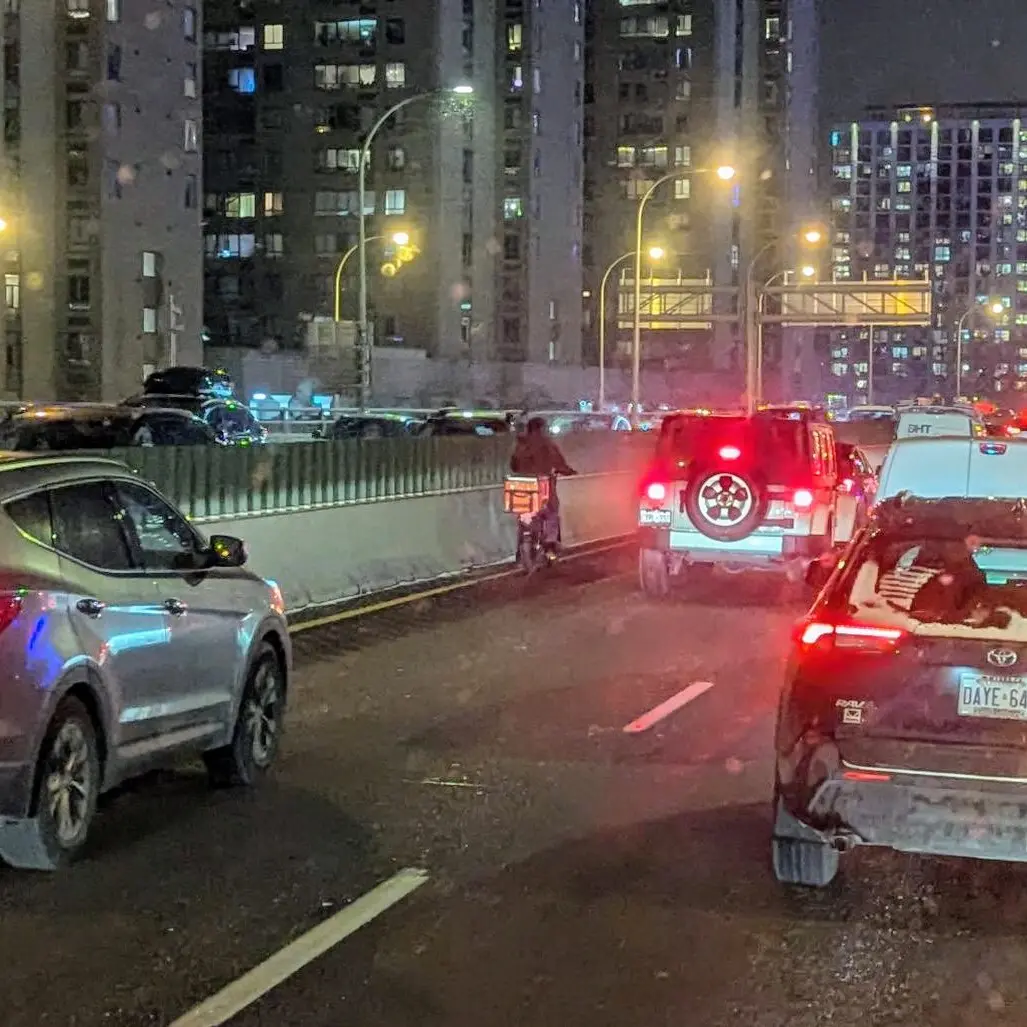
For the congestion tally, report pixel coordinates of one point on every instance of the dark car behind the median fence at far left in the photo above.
(87, 427)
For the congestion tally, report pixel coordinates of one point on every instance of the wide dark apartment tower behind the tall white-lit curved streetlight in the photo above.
(488, 186)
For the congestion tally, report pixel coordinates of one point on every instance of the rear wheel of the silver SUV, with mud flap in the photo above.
(68, 783)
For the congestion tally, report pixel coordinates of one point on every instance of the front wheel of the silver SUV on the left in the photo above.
(257, 736)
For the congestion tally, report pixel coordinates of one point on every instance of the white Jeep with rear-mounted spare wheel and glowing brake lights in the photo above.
(739, 492)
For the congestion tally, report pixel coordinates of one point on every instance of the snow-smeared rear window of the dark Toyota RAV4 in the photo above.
(935, 584)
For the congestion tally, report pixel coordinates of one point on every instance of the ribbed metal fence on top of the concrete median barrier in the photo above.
(211, 482)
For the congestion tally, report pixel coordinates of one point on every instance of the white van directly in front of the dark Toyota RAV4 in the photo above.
(940, 469)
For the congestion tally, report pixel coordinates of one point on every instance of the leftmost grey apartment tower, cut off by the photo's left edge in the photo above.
(101, 193)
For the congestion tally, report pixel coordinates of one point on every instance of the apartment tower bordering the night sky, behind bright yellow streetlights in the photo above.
(684, 86)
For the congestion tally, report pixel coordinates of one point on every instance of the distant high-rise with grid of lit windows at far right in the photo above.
(937, 193)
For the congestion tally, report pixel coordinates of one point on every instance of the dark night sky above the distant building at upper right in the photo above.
(925, 52)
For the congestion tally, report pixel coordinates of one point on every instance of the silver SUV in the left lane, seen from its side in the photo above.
(128, 641)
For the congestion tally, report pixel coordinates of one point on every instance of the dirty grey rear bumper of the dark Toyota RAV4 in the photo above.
(910, 813)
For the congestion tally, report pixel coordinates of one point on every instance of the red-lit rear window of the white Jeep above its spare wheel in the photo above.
(781, 446)
